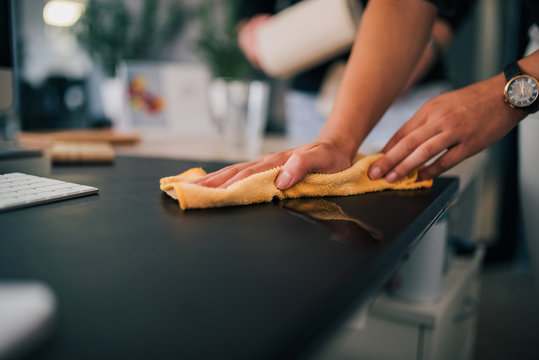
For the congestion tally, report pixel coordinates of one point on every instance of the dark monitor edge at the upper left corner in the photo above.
(7, 85)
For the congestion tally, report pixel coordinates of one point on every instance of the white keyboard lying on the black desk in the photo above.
(21, 190)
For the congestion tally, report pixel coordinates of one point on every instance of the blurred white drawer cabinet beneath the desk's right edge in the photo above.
(396, 329)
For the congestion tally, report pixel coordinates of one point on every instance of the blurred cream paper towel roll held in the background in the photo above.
(307, 34)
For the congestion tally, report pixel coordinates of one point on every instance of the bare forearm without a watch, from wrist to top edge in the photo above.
(391, 38)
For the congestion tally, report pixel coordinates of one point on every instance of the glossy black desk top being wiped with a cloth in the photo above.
(137, 278)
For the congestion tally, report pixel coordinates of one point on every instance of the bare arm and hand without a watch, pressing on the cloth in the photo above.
(390, 40)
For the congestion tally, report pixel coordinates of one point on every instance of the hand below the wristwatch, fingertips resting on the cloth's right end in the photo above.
(460, 123)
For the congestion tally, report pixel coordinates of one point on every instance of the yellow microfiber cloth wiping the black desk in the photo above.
(260, 187)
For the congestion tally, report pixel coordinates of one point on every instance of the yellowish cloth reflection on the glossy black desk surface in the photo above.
(342, 228)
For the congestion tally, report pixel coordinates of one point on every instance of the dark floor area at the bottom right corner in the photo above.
(508, 326)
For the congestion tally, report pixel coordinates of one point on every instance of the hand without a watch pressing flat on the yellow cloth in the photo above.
(316, 157)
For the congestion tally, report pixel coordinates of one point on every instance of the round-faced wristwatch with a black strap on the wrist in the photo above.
(521, 90)
